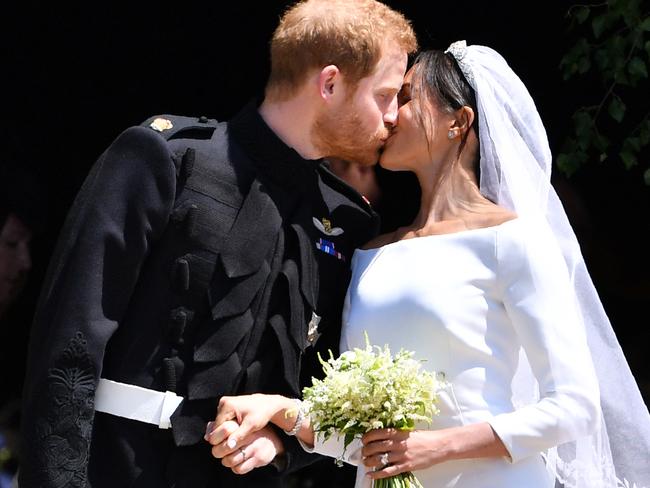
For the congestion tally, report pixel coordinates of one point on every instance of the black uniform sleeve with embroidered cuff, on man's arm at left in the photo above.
(121, 209)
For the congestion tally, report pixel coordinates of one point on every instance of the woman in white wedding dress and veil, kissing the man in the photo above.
(489, 286)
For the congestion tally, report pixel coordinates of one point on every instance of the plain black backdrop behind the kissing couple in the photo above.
(74, 75)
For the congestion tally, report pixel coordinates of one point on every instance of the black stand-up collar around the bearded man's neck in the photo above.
(279, 162)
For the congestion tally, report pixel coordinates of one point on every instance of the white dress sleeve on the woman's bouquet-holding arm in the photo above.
(539, 299)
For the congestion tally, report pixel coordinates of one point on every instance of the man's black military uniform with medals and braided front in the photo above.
(198, 257)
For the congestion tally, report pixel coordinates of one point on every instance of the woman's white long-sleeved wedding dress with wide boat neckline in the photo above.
(469, 303)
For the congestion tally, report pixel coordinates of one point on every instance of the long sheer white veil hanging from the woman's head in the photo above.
(515, 168)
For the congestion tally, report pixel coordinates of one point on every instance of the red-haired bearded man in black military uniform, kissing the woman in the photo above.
(205, 258)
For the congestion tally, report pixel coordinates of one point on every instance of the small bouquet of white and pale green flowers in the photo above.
(367, 389)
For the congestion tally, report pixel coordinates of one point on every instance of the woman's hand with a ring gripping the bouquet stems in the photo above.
(390, 451)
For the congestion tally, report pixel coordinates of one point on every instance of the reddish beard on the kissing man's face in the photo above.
(343, 136)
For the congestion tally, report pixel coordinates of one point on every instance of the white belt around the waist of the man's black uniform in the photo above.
(136, 403)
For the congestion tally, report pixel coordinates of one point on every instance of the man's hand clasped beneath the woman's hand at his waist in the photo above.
(253, 451)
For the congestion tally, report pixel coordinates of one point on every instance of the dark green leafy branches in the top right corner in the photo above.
(611, 48)
